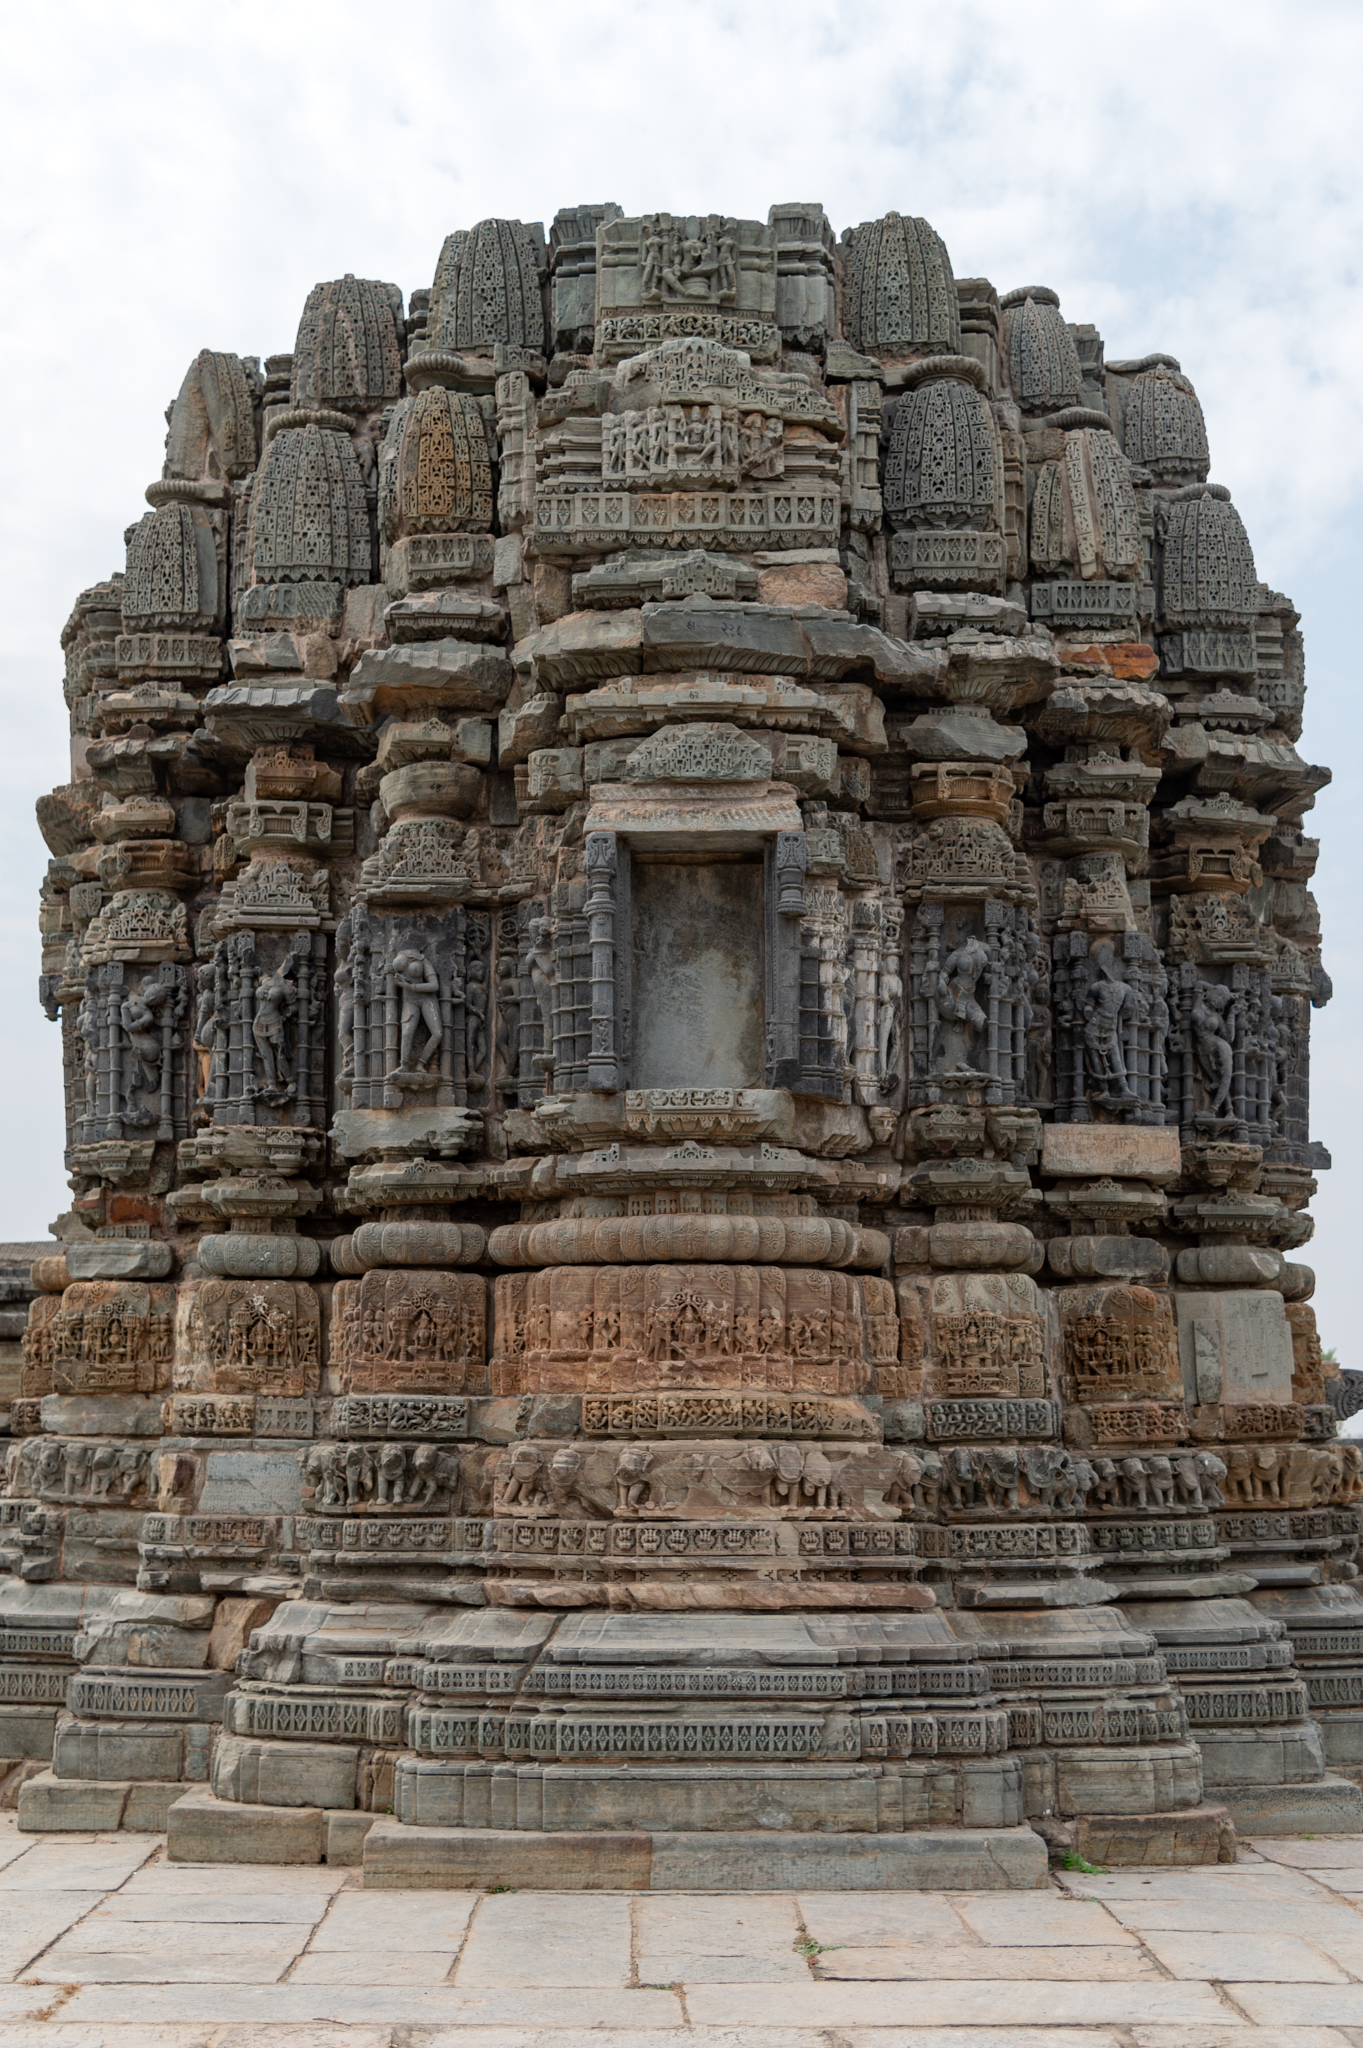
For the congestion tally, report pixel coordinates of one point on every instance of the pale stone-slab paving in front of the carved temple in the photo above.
(105, 1945)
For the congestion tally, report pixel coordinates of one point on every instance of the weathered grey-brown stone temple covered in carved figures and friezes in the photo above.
(685, 964)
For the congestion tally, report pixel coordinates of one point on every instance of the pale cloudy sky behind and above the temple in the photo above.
(1186, 175)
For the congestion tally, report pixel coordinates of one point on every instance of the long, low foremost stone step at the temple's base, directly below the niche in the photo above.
(752, 1861)
